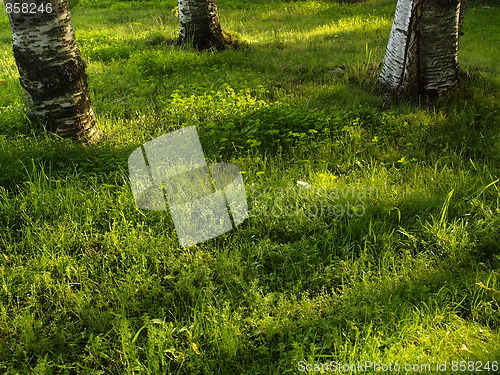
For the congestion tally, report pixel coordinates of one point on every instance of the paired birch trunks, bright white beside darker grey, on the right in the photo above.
(421, 57)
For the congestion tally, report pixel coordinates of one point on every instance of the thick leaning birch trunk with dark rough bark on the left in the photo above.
(52, 72)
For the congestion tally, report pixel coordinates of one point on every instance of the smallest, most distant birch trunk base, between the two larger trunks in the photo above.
(200, 25)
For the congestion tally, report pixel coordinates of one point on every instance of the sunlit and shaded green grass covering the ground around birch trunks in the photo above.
(390, 255)
